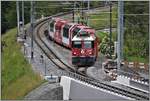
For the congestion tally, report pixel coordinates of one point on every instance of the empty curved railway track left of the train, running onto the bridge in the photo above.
(69, 71)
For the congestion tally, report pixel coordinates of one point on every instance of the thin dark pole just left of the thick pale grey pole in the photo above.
(110, 29)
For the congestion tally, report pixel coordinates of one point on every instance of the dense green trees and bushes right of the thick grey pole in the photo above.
(136, 31)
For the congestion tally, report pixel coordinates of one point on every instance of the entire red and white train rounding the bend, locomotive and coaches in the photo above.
(80, 38)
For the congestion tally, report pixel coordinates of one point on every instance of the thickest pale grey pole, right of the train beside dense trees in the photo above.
(120, 33)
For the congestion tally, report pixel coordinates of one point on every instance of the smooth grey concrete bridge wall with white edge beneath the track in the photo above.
(77, 90)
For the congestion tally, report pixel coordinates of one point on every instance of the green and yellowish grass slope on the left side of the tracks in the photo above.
(18, 77)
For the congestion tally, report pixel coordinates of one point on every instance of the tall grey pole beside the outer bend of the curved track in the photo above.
(32, 27)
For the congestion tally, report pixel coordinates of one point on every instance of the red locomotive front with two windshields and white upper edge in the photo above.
(84, 48)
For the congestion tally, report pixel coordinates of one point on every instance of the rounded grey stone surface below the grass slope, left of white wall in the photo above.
(46, 91)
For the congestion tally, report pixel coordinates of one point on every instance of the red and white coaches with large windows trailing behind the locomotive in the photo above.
(60, 31)
